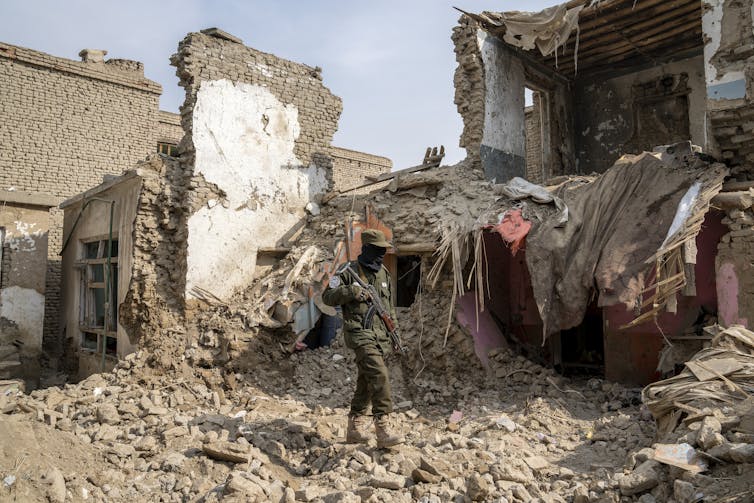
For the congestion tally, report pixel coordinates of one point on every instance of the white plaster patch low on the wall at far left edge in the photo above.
(25, 307)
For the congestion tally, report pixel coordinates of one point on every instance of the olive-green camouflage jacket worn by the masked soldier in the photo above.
(339, 294)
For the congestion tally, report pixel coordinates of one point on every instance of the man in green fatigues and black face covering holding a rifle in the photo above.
(370, 345)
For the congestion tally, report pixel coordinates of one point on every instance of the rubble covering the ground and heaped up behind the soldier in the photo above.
(236, 417)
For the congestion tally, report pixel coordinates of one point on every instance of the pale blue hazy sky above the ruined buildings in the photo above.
(391, 61)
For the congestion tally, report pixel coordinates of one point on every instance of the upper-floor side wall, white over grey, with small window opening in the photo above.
(490, 83)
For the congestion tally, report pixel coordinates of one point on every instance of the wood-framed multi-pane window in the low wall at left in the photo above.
(98, 304)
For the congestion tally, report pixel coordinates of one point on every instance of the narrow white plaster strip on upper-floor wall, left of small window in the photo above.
(504, 120)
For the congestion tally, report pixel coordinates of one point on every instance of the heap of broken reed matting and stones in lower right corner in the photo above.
(705, 418)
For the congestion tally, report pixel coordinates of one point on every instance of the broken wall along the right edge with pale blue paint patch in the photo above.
(729, 60)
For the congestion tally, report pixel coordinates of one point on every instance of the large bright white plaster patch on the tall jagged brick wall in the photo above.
(244, 139)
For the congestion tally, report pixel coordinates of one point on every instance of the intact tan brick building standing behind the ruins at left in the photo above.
(64, 126)
